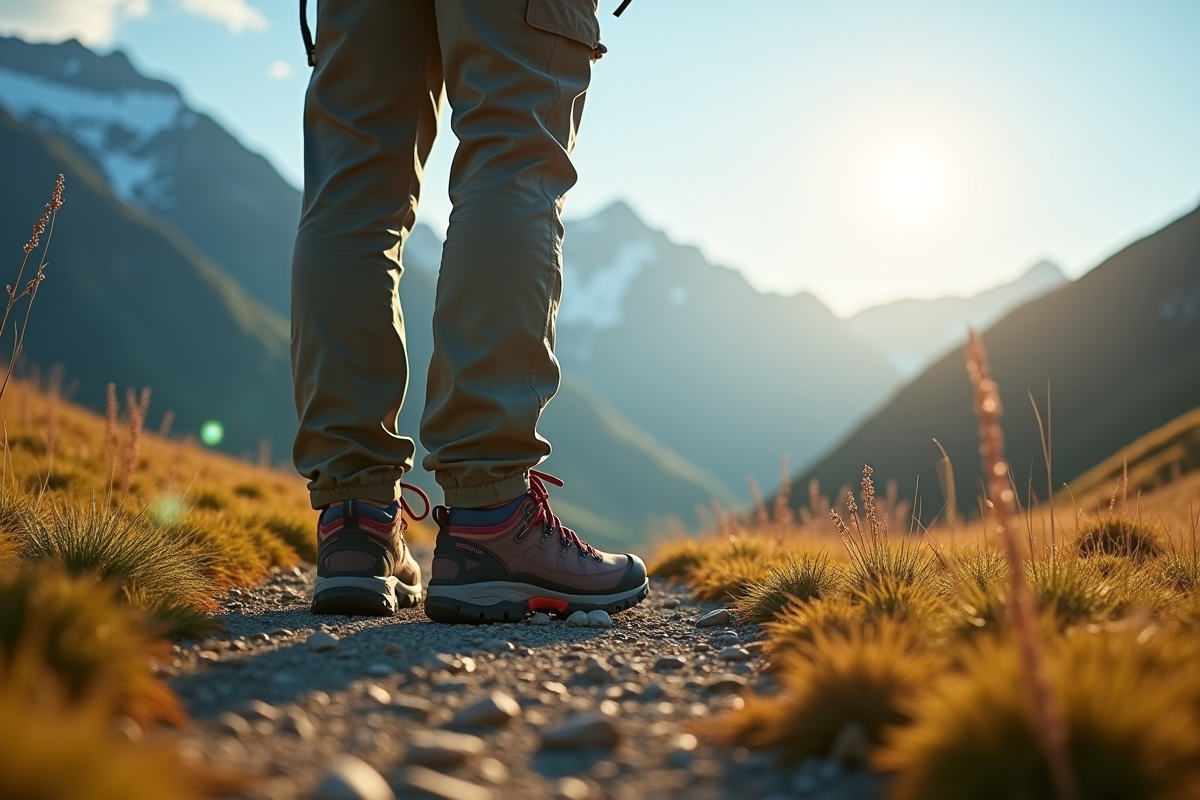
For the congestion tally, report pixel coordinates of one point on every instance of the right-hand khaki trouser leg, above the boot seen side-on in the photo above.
(517, 95)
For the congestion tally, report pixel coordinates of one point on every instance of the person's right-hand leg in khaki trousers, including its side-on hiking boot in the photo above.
(517, 73)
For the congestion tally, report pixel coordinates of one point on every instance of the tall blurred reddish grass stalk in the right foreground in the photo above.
(1048, 721)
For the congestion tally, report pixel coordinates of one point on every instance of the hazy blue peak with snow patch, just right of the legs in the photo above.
(725, 376)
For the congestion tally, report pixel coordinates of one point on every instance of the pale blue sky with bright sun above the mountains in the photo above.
(863, 151)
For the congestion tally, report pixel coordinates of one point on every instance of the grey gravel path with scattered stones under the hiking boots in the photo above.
(520, 711)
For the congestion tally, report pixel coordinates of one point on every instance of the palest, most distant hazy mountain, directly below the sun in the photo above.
(913, 334)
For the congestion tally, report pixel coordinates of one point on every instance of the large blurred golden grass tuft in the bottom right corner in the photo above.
(1133, 733)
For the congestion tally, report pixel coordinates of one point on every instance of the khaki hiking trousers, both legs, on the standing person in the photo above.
(515, 74)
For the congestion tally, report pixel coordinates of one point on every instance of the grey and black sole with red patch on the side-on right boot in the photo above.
(503, 601)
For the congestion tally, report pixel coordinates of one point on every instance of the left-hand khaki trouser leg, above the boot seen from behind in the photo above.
(371, 115)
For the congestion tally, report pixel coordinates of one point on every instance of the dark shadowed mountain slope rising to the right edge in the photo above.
(1120, 350)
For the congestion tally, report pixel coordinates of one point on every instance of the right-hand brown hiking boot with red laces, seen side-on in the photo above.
(500, 566)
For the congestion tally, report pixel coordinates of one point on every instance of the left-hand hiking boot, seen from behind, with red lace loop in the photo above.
(364, 567)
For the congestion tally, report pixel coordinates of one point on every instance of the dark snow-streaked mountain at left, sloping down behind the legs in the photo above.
(171, 269)
